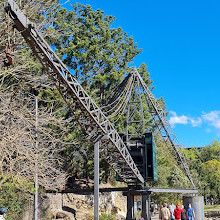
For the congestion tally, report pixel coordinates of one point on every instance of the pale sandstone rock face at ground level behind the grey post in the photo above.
(82, 206)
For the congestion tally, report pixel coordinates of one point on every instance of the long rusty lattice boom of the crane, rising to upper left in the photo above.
(86, 112)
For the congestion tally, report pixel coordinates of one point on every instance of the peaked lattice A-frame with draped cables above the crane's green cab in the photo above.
(133, 90)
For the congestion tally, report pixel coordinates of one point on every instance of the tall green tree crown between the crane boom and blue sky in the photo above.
(98, 53)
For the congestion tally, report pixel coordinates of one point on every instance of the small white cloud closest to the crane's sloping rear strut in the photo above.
(183, 119)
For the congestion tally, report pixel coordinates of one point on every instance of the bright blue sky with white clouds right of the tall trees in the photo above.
(181, 47)
